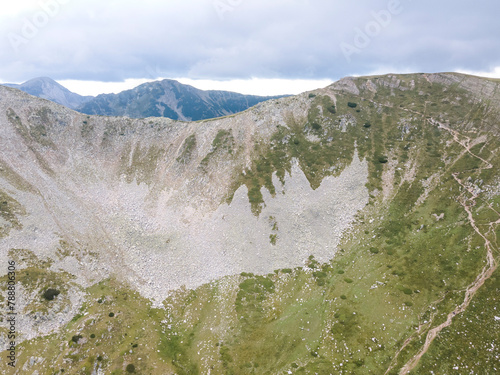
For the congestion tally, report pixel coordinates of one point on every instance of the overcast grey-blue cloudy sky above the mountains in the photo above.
(262, 44)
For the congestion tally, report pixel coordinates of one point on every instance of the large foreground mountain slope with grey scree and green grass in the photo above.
(352, 229)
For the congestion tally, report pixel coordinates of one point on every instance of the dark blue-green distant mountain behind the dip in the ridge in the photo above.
(169, 98)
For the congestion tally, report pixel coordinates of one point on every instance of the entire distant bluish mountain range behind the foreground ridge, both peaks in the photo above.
(166, 98)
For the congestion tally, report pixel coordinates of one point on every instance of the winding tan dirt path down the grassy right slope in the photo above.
(467, 203)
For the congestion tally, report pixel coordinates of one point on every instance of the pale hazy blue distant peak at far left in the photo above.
(49, 89)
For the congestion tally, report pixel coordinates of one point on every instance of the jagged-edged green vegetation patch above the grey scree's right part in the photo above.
(316, 159)
